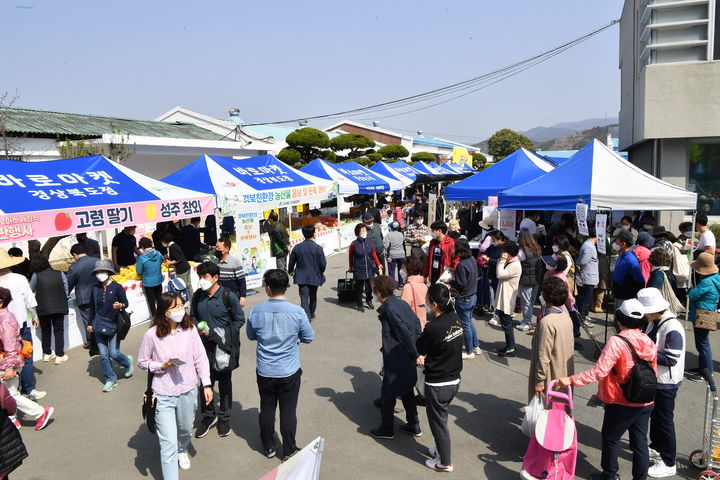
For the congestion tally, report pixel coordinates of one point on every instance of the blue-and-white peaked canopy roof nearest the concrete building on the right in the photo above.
(603, 180)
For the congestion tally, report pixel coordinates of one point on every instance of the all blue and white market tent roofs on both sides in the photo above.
(44, 199)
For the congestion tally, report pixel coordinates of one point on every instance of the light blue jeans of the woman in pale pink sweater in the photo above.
(174, 419)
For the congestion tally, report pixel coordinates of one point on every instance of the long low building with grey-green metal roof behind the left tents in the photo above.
(156, 149)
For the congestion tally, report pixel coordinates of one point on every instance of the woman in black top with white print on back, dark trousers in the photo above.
(441, 344)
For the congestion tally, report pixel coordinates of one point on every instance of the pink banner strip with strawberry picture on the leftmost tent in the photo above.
(51, 223)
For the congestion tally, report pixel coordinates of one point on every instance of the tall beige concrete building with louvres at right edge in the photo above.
(670, 94)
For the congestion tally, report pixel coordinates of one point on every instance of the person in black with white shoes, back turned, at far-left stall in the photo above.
(51, 292)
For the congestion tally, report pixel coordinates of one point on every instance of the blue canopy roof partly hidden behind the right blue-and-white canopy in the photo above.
(517, 168)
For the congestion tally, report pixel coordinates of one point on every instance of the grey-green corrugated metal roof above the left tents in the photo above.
(46, 123)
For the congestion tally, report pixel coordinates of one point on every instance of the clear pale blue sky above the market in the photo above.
(286, 59)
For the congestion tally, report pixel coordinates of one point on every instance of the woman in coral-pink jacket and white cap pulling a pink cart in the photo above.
(611, 370)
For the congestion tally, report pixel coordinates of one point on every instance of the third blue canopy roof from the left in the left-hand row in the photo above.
(352, 178)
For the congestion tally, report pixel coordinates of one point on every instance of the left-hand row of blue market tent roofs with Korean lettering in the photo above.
(61, 197)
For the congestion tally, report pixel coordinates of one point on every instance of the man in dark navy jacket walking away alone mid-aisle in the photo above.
(309, 273)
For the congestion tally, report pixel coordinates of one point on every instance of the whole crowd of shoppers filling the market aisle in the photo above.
(427, 328)
